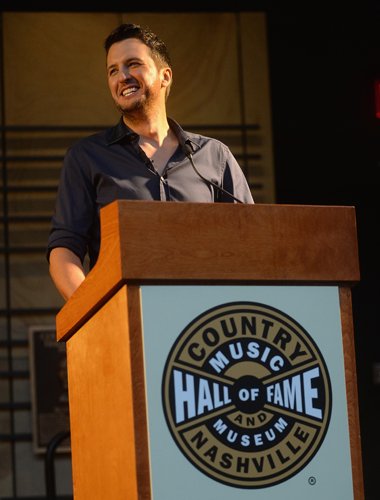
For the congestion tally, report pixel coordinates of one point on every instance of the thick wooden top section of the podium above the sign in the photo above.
(150, 242)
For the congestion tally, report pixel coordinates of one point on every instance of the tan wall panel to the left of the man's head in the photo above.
(55, 68)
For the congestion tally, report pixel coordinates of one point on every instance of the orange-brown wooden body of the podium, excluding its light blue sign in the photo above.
(185, 245)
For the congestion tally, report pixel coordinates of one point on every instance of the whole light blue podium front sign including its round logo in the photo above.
(246, 392)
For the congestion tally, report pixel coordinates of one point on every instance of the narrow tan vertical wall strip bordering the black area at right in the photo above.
(257, 99)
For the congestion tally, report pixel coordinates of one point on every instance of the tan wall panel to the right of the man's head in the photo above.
(202, 48)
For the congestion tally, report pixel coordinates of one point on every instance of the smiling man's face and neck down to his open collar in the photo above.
(139, 84)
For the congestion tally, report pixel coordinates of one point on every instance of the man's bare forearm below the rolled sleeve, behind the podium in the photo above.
(66, 271)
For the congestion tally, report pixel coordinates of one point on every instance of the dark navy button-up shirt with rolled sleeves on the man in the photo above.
(111, 166)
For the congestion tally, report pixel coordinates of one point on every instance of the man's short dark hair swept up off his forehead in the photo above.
(159, 52)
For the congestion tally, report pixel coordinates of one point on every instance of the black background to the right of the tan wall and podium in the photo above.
(327, 151)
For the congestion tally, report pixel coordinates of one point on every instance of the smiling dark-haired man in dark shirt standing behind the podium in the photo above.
(141, 158)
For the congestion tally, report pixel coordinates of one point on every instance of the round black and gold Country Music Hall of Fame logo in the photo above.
(246, 395)
